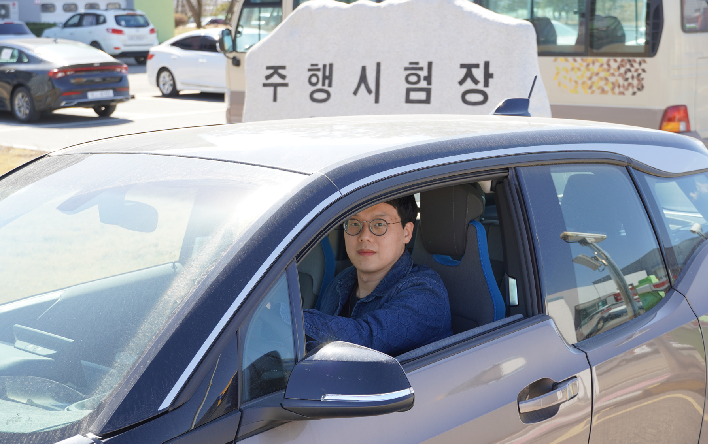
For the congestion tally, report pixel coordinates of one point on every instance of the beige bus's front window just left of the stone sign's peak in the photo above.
(255, 23)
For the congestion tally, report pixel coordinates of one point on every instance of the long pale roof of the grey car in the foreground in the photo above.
(318, 145)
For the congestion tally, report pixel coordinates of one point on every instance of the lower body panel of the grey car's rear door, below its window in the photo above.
(646, 370)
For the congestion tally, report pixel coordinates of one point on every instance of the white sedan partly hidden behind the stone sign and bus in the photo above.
(188, 61)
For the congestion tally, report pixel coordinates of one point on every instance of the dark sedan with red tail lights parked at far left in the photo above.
(41, 75)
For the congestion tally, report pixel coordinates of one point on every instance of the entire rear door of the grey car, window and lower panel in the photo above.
(607, 287)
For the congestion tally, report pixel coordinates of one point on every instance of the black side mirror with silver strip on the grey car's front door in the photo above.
(341, 380)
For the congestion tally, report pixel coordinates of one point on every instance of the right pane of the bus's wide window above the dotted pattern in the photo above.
(618, 26)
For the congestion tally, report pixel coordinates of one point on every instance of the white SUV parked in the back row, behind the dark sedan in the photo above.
(118, 32)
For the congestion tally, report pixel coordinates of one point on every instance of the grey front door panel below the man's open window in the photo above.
(473, 395)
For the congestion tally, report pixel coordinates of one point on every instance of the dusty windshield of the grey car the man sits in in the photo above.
(96, 253)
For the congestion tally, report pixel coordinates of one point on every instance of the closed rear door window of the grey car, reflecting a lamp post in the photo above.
(598, 256)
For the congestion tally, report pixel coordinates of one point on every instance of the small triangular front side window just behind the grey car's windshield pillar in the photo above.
(268, 346)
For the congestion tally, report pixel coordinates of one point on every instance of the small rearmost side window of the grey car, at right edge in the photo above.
(681, 206)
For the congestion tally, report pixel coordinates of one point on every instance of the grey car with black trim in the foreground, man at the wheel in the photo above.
(153, 284)
